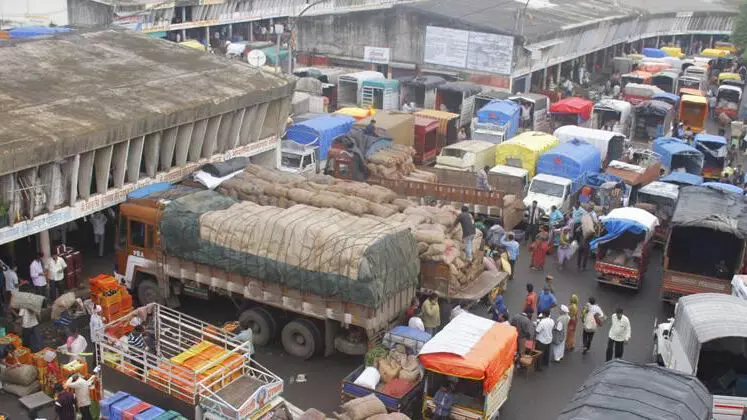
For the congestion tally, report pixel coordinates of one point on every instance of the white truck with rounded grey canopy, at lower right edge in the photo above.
(707, 337)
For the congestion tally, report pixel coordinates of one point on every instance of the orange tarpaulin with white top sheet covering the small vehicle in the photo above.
(471, 347)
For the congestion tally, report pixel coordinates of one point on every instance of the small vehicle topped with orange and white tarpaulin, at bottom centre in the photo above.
(477, 356)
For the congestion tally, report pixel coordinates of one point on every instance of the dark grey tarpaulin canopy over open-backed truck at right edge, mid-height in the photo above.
(712, 208)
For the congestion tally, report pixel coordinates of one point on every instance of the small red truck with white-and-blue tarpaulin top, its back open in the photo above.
(624, 248)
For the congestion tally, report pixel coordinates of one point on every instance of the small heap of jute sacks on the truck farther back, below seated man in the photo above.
(396, 163)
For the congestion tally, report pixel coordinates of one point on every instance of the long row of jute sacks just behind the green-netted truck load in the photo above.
(269, 187)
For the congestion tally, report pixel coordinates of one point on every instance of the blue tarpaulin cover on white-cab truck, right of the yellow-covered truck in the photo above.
(570, 160)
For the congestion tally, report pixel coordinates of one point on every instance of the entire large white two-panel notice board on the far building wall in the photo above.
(479, 51)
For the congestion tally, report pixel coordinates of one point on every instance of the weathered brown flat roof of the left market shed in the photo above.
(78, 92)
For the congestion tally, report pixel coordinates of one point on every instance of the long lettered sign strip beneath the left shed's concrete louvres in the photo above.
(115, 196)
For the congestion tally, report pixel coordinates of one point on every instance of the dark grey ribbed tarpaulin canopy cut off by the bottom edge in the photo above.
(621, 390)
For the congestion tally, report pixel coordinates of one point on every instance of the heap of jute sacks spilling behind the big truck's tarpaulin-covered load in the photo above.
(440, 239)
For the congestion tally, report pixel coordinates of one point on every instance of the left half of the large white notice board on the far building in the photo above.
(446, 47)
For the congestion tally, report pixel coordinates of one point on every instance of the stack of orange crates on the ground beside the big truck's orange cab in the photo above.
(114, 299)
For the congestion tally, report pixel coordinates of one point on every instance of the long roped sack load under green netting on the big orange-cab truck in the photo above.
(322, 251)
